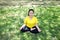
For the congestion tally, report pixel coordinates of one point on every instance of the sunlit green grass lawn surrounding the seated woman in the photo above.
(11, 19)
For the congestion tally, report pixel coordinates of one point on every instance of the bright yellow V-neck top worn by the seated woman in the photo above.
(30, 22)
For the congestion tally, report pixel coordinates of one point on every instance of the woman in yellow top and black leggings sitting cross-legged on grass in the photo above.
(30, 23)
